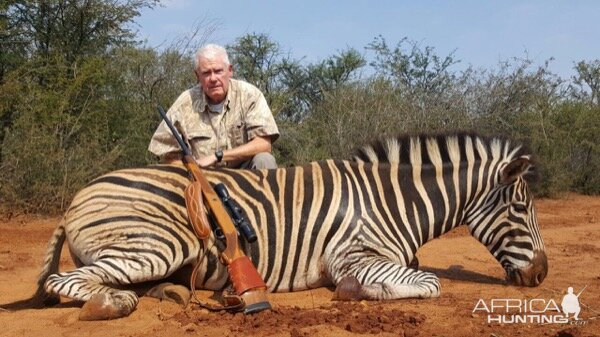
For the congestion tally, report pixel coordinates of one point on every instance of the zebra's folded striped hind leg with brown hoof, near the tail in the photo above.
(88, 284)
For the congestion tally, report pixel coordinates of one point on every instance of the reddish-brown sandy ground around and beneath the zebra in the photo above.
(570, 227)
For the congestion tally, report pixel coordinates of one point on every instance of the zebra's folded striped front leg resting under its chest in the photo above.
(378, 278)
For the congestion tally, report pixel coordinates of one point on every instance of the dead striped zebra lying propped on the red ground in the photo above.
(355, 224)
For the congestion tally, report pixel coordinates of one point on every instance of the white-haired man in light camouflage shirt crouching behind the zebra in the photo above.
(226, 122)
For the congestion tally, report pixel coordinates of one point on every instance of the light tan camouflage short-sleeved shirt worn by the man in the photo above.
(245, 115)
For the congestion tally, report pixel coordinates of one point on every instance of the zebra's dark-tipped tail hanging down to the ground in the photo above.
(41, 298)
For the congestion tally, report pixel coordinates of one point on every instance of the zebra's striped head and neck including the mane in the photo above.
(494, 176)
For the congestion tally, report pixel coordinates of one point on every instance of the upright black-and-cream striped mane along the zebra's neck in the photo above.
(428, 148)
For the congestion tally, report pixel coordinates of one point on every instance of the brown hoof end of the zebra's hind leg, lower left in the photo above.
(104, 306)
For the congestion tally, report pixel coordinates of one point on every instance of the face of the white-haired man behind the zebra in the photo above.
(213, 75)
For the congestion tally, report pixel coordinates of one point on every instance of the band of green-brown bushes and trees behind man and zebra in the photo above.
(78, 94)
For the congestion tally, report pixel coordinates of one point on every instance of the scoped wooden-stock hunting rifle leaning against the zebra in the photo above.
(249, 286)
